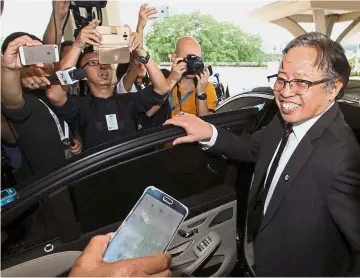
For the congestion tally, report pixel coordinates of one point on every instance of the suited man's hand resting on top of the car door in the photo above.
(196, 129)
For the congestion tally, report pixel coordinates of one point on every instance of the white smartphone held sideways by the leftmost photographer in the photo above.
(31, 55)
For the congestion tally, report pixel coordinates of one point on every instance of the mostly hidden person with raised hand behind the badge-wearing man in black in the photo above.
(136, 73)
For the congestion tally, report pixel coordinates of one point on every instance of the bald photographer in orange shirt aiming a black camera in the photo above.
(199, 99)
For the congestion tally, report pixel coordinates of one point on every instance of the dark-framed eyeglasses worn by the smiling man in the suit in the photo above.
(297, 86)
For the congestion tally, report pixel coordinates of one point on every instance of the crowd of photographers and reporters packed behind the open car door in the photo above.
(64, 121)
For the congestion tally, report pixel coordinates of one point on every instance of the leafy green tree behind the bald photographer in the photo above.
(220, 41)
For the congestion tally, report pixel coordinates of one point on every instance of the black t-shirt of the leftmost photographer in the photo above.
(37, 135)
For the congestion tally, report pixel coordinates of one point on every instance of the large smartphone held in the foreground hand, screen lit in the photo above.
(149, 228)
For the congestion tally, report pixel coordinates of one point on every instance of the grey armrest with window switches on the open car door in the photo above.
(201, 254)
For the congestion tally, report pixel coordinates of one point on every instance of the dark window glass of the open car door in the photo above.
(105, 197)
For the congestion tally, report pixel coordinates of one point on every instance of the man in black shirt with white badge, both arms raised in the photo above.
(102, 115)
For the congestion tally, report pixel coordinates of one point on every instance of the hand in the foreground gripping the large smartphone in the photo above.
(91, 263)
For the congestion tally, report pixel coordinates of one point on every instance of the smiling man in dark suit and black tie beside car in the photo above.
(304, 202)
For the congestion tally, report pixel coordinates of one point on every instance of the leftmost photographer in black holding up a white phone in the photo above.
(31, 121)
